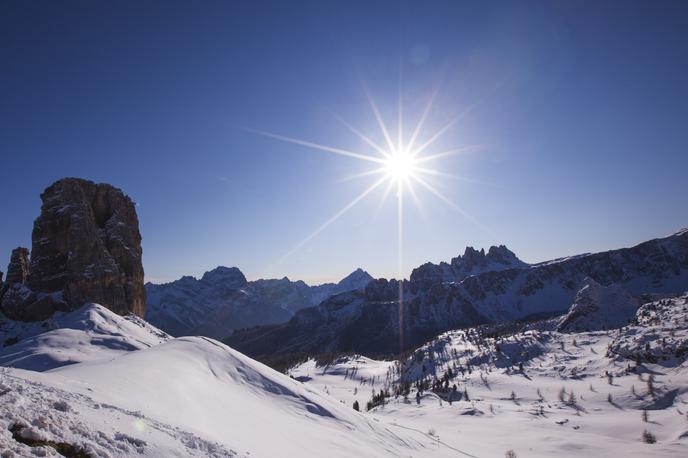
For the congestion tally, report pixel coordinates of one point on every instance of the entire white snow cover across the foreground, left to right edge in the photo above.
(131, 390)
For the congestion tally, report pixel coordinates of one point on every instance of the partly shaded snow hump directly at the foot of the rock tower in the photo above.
(89, 333)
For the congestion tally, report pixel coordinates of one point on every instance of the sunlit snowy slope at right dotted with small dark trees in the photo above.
(536, 393)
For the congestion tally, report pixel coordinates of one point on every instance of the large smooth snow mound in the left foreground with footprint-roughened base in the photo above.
(190, 396)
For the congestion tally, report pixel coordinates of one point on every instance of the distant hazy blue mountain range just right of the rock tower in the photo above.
(222, 300)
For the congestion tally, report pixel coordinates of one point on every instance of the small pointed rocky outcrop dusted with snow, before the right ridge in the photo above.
(598, 307)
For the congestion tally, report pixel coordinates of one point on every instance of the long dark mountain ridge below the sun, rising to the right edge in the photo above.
(371, 321)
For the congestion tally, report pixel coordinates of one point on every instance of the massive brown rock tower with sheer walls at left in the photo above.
(86, 247)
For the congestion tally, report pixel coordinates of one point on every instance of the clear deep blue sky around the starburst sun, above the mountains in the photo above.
(579, 108)
